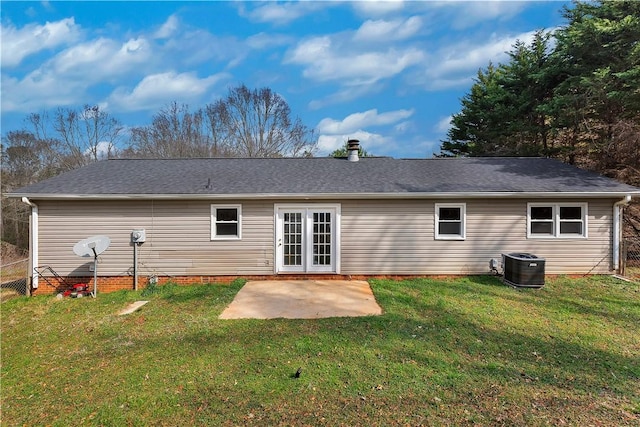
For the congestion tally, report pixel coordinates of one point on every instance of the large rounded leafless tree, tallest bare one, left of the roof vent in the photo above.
(257, 123)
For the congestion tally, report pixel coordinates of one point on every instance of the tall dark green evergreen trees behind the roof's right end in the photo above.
(571, 94)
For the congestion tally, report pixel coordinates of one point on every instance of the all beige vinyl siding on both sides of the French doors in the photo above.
(378, 237)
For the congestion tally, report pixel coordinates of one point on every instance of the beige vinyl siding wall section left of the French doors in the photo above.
(178, 238)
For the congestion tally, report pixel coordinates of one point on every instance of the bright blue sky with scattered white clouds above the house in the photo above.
(388, 73)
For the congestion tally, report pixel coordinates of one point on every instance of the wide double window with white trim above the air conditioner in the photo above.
(557, 220)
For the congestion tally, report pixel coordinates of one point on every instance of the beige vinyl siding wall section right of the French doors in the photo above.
(389, 237)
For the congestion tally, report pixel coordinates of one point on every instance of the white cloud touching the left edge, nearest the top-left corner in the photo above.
(17, 44)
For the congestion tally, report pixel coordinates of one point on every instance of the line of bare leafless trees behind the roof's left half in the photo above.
(244, 123)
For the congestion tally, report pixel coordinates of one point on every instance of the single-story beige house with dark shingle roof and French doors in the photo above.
(213, 218)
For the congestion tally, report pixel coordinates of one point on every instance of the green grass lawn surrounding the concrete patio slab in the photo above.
(467, 351)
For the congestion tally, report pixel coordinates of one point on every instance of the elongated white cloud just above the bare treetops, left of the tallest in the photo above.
(158, 89)
